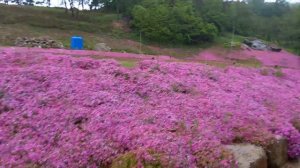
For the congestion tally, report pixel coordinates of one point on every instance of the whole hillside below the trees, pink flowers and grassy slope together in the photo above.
(152, 105)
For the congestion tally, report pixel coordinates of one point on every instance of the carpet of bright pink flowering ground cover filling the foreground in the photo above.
(61, 111)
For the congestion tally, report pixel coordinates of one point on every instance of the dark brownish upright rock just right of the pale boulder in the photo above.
(277, 152)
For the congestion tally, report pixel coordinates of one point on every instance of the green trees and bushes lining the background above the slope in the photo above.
(194, 21)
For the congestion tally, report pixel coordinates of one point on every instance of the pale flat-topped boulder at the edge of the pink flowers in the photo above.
(248, 156)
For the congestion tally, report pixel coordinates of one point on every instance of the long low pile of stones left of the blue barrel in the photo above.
(41, 42)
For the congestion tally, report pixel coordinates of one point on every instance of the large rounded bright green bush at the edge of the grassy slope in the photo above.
(178, 24)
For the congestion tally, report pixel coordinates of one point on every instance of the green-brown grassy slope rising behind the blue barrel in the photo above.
(95, 27)
